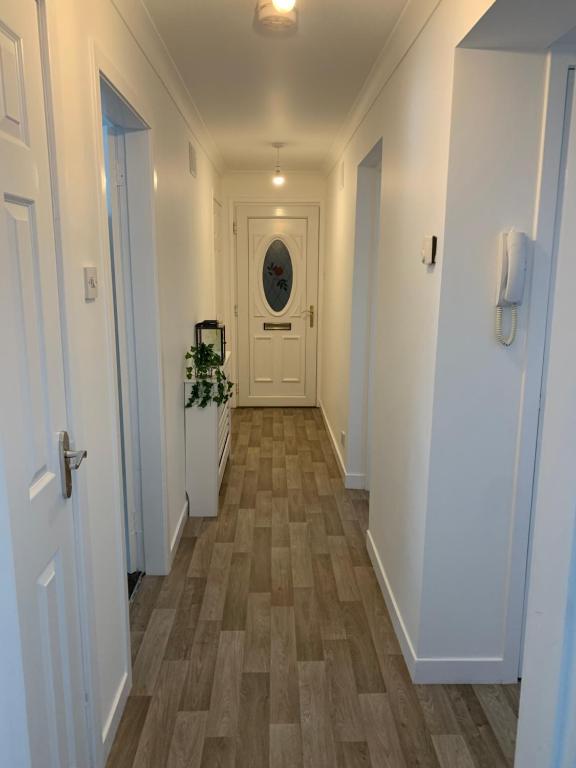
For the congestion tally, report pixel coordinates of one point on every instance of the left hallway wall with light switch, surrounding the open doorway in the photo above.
(82, 33)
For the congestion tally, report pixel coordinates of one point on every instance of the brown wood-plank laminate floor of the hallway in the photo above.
(269, 644)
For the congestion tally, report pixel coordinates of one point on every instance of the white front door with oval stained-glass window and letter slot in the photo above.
(277, 268)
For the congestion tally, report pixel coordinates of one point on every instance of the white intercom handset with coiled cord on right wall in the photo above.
(511, 280)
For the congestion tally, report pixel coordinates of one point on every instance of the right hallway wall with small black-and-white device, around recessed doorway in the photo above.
(412, 116)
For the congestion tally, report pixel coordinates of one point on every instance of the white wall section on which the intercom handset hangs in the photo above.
(478, 502)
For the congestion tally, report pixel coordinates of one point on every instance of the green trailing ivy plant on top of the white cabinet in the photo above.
(210, 384)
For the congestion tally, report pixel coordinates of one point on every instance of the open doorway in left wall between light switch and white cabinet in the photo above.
(117, 121)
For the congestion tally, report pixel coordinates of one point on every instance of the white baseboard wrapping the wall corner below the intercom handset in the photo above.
(435, 670)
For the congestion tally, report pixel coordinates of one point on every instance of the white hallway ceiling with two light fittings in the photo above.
(254, 89)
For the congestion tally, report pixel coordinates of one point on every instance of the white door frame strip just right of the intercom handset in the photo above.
(538, 291)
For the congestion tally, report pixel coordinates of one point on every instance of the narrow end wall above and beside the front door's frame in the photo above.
(257, 187)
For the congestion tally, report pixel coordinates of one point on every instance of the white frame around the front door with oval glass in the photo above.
(279, 210)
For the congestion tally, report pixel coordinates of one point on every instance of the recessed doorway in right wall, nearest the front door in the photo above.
(364, 304)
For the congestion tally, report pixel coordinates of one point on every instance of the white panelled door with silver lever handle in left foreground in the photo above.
(33, 407)
